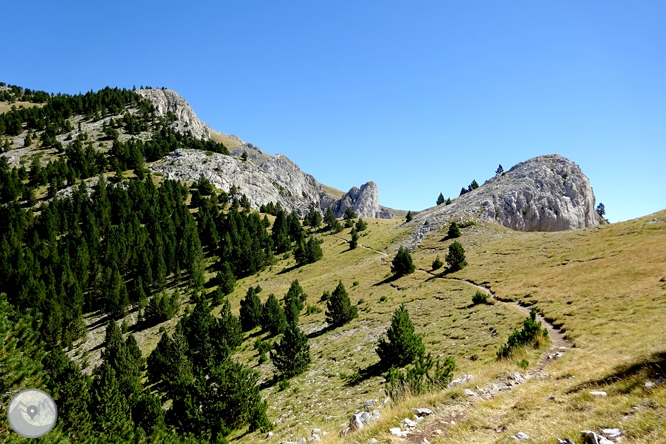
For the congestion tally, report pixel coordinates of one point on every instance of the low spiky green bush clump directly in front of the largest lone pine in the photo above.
(419, 379)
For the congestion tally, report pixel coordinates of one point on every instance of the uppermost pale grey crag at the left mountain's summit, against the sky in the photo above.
(167, 100)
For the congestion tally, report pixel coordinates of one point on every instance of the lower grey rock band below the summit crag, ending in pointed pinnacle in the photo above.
(270, 179)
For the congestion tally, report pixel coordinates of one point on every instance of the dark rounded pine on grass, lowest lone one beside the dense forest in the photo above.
(291, 356)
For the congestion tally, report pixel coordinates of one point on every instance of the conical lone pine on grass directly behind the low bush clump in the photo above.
(403, 345)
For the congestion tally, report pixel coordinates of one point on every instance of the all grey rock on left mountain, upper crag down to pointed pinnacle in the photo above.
(264, 179)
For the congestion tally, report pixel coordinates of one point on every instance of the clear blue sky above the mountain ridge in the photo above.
(420, 97)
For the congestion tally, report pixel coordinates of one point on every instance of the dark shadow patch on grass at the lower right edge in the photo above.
(652, 367)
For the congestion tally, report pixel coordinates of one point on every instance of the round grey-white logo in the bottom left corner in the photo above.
(32, 413)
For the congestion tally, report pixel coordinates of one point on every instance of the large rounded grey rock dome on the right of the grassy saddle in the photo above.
(545, 193)
